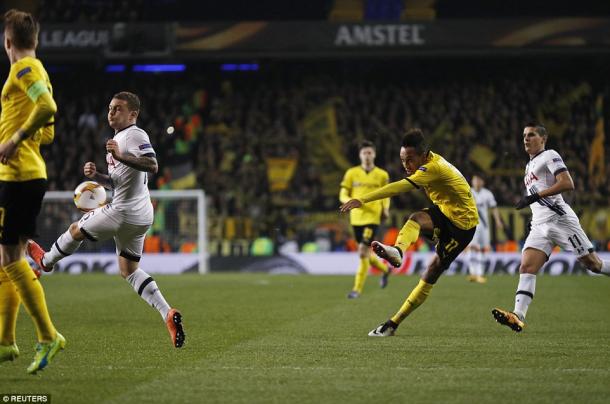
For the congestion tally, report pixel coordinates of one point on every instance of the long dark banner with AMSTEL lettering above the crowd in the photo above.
(259, 37)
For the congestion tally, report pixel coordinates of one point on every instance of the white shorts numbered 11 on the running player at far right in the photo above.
(565, 232)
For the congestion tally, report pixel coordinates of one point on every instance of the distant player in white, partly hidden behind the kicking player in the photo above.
(481, 242)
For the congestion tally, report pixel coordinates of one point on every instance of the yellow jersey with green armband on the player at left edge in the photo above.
(26, 80)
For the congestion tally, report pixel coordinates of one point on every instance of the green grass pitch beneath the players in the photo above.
(292, 339)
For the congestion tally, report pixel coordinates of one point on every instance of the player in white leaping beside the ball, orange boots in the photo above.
(128, 217)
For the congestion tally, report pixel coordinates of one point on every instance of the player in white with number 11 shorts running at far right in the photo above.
(553, 223)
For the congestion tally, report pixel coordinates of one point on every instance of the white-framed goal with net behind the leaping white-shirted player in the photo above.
(176, 242)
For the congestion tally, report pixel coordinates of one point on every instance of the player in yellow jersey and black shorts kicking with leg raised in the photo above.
(451, 220)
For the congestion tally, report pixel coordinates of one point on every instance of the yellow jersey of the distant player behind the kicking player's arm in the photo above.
(357, 182)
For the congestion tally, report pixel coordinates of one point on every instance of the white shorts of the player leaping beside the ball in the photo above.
(105, 222)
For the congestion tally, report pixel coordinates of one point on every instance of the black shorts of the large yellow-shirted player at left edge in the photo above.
(20, 203)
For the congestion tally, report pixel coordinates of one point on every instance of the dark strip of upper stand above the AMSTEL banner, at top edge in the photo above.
(91, 11)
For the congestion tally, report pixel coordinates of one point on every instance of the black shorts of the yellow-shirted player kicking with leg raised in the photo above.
(450, 239)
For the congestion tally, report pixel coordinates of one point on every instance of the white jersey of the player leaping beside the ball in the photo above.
(130, 186)
